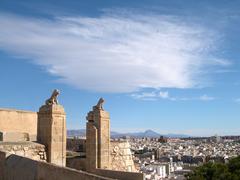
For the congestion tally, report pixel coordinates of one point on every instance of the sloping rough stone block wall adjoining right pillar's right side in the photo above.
(121, 157)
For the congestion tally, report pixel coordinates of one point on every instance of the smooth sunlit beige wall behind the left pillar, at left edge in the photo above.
(19, 121)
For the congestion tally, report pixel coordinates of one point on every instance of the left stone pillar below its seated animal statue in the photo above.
(52, 132)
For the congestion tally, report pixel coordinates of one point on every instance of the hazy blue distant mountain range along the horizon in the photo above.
(147, 133)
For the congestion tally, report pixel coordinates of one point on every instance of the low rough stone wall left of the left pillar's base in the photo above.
(27, 149)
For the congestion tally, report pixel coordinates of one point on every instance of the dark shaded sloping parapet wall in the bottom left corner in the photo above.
(15, 167)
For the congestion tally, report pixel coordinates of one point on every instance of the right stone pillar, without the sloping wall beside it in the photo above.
(98, 132)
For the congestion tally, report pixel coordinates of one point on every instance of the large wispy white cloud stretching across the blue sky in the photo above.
(115, 52)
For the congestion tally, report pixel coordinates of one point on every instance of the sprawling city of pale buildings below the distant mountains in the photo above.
(172, 158)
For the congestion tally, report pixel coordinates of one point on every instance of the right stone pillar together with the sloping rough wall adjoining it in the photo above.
(100, 152)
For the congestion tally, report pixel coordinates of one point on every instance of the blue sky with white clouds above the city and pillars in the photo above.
(170, 66)
